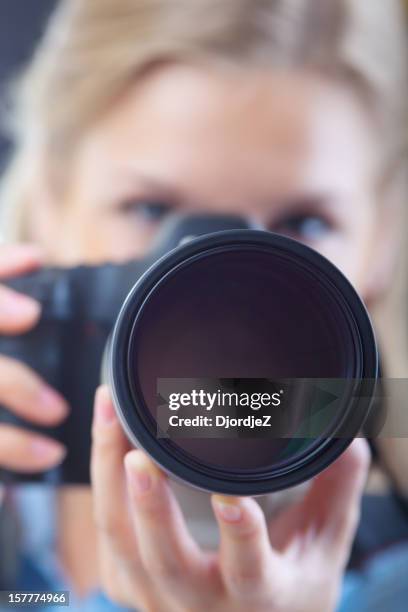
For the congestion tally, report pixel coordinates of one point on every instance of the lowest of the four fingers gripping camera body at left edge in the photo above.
(24, 451)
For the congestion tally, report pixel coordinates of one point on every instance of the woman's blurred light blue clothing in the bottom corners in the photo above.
(381, 585)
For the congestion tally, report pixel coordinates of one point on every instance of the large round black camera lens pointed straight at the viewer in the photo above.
(242, 362)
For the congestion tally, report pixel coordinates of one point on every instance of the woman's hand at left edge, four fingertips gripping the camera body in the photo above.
(22, 391)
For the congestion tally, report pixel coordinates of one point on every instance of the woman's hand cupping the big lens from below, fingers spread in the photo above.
(149, 560)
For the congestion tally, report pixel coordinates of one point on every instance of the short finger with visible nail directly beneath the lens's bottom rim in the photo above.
(249, 565)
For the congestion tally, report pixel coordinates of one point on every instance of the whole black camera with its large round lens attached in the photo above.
(220, 310)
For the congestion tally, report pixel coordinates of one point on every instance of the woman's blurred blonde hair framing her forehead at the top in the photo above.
(92, 50)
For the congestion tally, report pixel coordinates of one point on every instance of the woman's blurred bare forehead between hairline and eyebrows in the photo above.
(184, 125)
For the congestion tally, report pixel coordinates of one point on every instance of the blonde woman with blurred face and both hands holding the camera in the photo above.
(288, 111)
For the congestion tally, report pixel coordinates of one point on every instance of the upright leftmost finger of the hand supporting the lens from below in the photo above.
(109, 446)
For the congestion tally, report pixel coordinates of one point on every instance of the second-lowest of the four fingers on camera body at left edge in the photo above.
(28, 396)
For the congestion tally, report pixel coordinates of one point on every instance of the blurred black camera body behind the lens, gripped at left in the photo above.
(79, 309)
